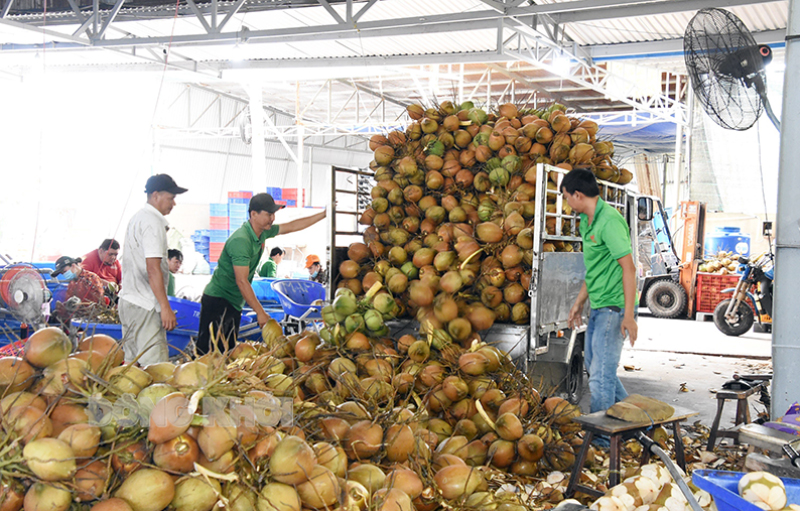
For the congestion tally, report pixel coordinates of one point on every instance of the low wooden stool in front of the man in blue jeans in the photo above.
(601, 424)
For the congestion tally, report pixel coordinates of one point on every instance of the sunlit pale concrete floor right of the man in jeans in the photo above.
(671, 352)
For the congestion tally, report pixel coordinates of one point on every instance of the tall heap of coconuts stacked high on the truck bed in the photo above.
(449, 230)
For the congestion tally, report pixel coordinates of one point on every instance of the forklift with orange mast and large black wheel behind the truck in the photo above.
(669, 281)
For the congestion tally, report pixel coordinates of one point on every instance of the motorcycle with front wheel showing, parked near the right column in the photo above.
(734, 316)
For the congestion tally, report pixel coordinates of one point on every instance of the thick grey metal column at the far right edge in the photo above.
(785, 341)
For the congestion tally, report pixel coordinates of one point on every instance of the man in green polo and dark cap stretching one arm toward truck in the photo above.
(230, 287)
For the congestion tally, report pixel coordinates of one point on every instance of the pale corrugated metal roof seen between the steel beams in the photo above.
(281, 60)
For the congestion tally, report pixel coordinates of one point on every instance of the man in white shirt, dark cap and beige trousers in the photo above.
(144, 309)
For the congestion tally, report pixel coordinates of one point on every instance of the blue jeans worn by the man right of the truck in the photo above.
(602, 350)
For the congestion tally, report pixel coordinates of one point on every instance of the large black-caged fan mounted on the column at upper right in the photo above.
(726, 67)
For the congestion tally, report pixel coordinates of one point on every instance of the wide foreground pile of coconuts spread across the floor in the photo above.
(372, 424)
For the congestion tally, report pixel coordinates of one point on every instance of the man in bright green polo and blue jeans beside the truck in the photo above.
(610, 286)
